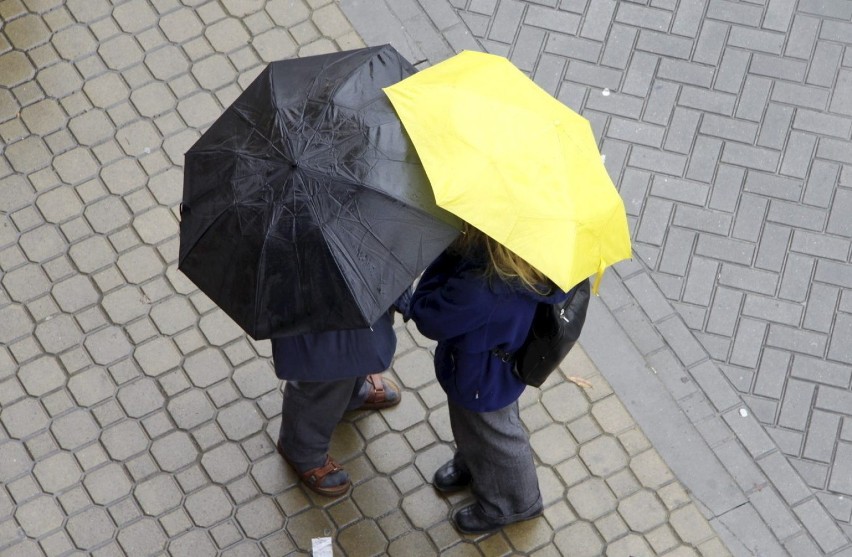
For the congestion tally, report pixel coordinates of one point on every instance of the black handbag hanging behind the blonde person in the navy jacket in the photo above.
(554, 331)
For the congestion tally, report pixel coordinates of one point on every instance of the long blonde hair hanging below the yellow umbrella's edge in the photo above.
(502, 262)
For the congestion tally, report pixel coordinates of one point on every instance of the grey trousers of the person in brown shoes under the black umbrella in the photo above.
(310, 412)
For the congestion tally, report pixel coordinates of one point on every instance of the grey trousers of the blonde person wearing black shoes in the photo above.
(496, 449)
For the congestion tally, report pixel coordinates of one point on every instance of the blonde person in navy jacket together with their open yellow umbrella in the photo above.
(541, 215)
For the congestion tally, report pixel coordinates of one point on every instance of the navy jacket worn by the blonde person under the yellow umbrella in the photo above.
(469, 316)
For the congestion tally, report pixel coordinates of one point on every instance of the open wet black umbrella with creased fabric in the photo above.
(305, 207)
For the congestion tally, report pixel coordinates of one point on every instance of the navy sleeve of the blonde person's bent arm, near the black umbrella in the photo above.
(446, 306)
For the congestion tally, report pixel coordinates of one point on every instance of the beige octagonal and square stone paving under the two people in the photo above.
(136, 419)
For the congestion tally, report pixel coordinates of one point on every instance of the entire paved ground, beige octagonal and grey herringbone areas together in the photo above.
(137, 419)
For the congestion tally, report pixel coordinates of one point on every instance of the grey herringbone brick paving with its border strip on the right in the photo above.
(727, 126)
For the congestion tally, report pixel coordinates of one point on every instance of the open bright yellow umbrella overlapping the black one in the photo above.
(505, 156)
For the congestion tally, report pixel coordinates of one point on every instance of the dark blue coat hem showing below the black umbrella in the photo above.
(335, 354)
